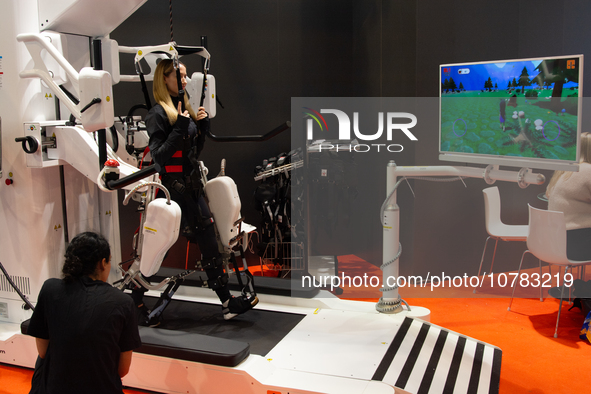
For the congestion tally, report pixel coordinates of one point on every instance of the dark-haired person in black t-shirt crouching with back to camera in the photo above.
(84, 328)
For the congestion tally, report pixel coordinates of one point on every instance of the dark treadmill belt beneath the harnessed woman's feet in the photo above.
(261, 329)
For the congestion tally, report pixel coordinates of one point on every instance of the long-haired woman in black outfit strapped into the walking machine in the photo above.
(174, 135)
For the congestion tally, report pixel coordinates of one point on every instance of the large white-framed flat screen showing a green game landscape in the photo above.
(518, 113)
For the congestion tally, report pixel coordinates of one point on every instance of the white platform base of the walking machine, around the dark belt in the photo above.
(340, 347)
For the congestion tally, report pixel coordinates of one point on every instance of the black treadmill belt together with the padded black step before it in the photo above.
(197, 332)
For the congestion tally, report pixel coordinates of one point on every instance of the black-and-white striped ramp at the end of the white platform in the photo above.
(427, 359)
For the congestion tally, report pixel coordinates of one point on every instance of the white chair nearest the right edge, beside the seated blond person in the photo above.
(546, 240)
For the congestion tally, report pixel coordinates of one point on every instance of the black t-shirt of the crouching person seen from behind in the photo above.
(88, 324)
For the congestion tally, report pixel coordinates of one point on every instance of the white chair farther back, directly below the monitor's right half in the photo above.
(495, 228)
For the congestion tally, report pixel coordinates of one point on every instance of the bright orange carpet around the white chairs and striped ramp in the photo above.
(533, 360)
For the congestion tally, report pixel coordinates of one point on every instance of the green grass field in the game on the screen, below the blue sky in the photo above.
(538, 127)
